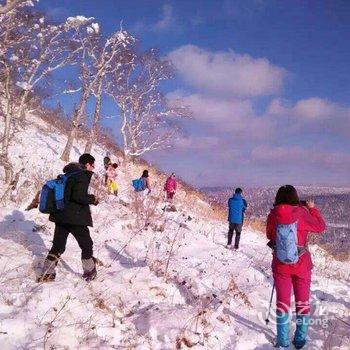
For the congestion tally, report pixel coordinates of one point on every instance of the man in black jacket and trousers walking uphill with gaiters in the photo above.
(74, 218)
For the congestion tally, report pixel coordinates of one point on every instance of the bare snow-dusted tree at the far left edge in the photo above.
(30, 51)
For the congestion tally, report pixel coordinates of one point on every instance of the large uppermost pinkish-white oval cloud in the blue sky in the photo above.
(227, 73)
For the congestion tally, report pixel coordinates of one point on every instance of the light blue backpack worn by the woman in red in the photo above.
(287, 243)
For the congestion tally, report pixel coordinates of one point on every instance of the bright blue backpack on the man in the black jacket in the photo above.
(52, 194)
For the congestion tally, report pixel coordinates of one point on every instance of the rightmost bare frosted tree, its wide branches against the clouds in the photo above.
(147, 116)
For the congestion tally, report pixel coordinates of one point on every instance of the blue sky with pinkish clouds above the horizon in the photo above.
(268, 82)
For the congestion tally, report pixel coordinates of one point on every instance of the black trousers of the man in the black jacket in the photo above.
(80, 233)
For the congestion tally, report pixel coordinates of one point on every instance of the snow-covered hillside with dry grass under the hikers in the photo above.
(166, 281)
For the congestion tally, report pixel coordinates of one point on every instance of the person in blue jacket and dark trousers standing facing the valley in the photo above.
(236, 208)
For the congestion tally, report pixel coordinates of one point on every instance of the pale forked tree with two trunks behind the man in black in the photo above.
(96, 64)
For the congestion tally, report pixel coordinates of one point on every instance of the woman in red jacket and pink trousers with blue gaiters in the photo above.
(288, 210)
